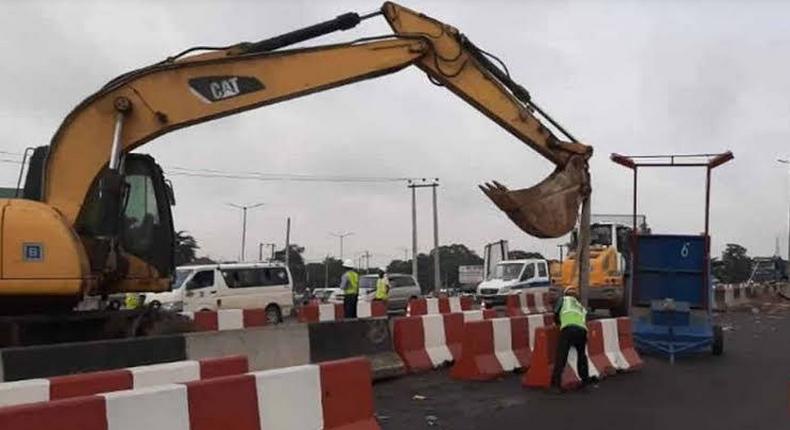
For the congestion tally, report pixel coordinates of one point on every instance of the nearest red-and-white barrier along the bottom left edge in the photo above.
(335, 395)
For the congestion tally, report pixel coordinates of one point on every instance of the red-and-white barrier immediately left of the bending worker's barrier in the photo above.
(492, 347)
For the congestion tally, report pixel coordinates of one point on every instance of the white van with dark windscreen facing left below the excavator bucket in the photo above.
(512, 277)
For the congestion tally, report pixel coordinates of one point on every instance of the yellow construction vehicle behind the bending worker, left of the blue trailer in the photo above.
(610, 259)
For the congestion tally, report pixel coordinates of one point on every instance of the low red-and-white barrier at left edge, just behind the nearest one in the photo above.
(83, 384)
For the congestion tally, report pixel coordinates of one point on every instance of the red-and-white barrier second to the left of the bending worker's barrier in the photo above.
(428, 341)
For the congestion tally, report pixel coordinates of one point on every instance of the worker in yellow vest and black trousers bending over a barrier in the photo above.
(571, 315)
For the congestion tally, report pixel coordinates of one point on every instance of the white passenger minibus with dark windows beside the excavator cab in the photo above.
(230, 286)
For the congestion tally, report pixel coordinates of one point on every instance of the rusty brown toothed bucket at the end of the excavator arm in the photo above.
(549, 209)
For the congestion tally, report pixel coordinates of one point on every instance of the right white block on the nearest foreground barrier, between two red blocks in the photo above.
(290, 398)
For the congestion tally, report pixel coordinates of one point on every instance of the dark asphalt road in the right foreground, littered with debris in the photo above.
(746, 388)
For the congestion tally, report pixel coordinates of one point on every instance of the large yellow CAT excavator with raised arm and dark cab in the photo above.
(95, 219)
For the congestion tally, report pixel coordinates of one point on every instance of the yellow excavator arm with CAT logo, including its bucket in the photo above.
(89, 152)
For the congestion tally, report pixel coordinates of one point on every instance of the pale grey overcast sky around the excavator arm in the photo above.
(630, 77)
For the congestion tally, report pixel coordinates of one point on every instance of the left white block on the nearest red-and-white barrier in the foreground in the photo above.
(164, 407)
